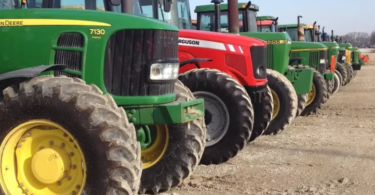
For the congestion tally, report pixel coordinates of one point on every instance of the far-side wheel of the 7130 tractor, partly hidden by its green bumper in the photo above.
(174, 150)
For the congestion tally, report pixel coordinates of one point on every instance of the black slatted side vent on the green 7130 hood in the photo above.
(72, 59)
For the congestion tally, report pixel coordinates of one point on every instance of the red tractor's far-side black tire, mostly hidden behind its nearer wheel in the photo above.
(262, 115)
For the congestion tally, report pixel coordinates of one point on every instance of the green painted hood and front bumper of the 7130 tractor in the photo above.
(28, 46)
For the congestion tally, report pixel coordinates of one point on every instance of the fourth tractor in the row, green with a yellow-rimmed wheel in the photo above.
(314, 55)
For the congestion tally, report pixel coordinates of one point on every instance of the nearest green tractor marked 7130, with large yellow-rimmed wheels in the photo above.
(60, 135)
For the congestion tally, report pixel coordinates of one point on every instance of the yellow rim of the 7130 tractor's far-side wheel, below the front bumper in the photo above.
(154, 153)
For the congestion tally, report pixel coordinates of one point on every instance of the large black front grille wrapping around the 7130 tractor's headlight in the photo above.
(127, 55)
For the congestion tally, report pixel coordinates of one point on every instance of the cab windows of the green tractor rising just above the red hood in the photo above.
(207, 21)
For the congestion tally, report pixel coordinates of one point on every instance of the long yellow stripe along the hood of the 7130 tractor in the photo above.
(48, 22)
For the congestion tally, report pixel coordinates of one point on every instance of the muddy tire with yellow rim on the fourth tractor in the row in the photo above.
(317, 96)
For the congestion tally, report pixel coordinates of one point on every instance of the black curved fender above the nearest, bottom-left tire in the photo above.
(18, 76)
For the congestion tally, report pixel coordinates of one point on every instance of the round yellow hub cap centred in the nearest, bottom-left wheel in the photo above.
(48, 166)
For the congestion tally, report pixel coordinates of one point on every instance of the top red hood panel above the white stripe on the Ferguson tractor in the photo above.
(221, 37)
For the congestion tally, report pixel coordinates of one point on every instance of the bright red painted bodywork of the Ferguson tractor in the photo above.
(225, 42)
